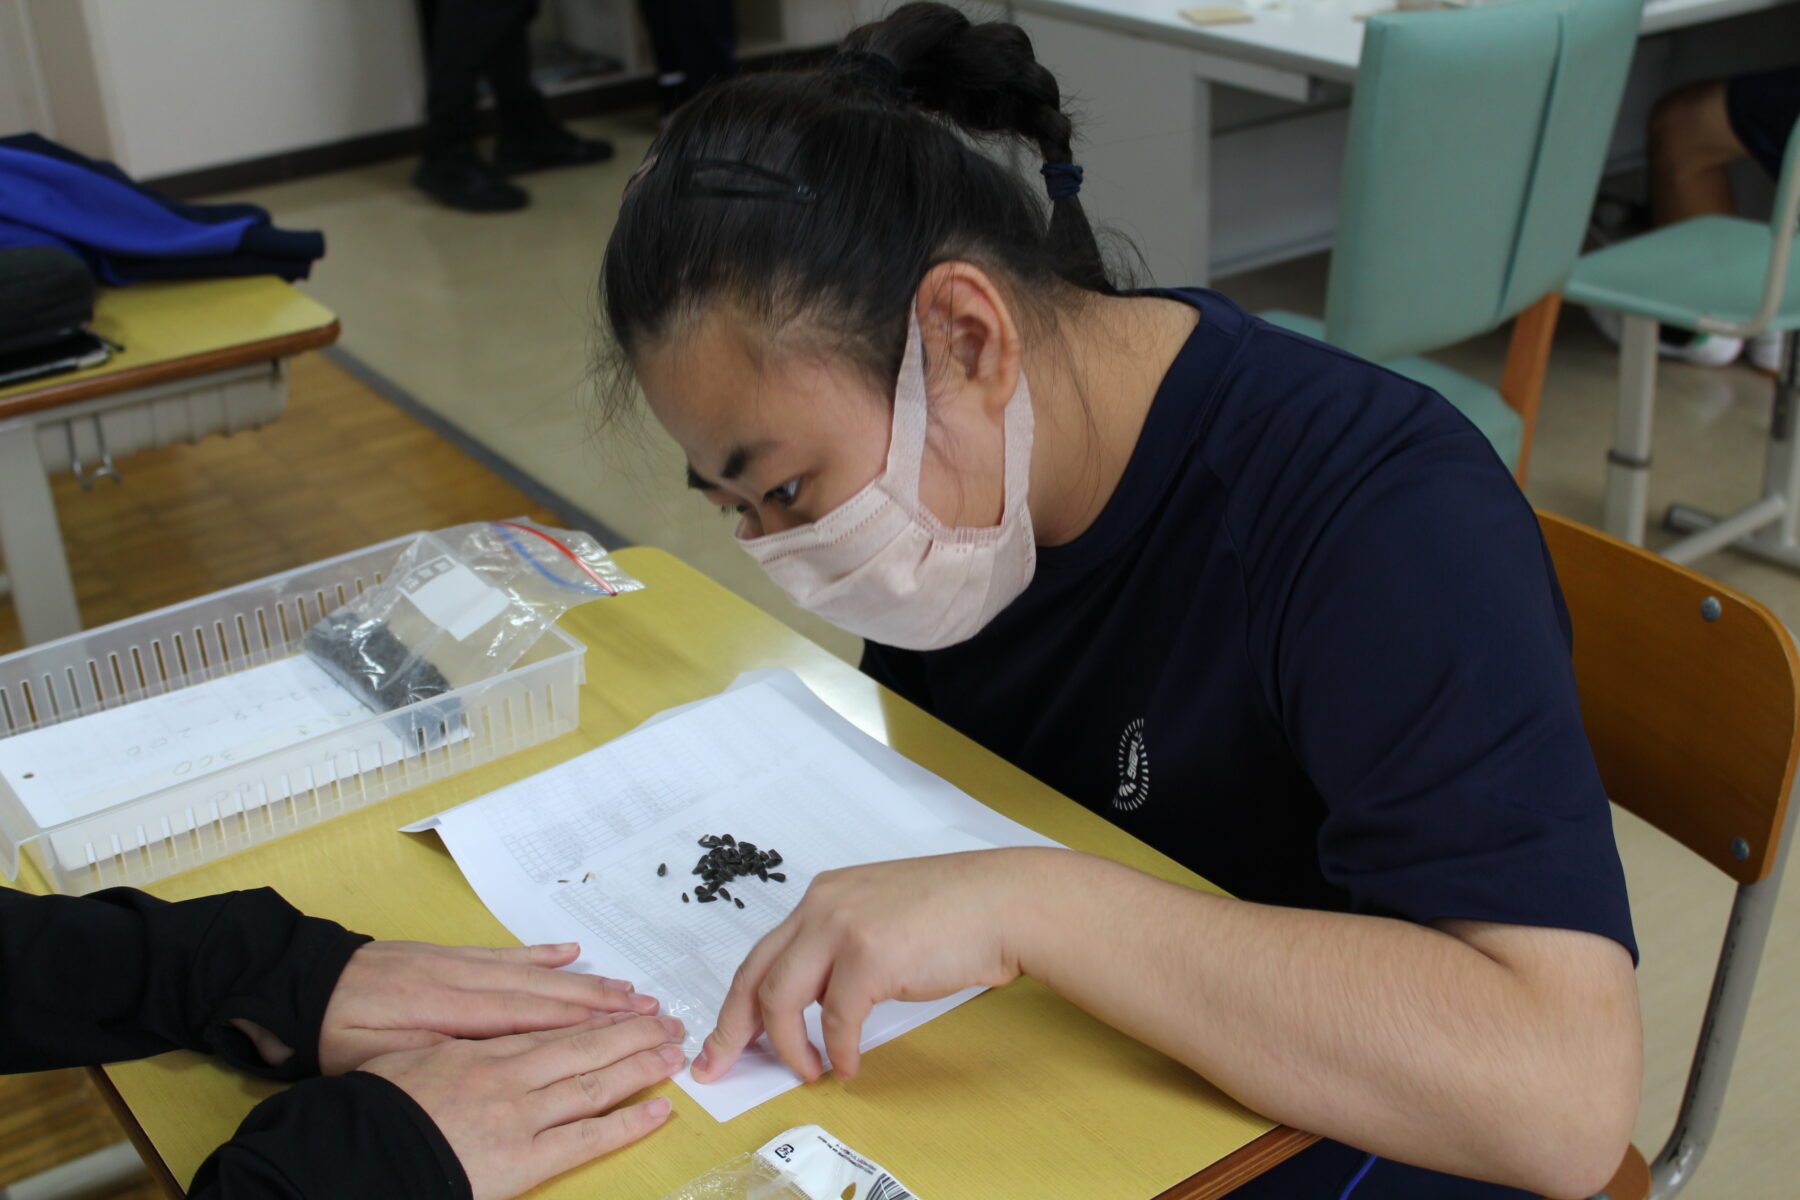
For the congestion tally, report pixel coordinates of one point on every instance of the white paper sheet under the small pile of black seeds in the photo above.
(571, 854)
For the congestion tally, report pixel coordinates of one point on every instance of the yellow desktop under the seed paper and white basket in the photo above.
(1012, 1095)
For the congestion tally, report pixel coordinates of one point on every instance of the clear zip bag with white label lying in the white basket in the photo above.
(462, 605)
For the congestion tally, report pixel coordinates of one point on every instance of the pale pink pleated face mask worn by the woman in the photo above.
(885, 568)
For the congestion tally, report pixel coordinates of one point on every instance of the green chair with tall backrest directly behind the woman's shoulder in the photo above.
(1477, 143)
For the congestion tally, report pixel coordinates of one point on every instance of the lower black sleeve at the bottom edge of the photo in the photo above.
(336, 1136)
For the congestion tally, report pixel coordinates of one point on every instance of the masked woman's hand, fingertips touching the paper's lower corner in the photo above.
(915, 929)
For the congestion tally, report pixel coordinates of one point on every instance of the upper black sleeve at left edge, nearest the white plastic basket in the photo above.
(121, 974)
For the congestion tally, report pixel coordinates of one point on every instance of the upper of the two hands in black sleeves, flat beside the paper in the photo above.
(400, 996)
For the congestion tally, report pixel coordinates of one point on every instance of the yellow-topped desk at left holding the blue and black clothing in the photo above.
(204, 357)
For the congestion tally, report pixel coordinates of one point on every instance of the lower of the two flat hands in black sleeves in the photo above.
(532, 1106)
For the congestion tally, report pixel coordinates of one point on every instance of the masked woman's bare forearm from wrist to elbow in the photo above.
(1394, 1037)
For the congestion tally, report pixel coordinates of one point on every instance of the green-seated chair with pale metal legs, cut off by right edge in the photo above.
(1714, 274)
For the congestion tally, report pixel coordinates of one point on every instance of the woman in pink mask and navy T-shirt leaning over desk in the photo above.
(1272, 609)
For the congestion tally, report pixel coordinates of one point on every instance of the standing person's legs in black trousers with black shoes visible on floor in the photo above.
(469, 40)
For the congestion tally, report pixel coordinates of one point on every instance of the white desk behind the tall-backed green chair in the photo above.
(1218, 148)
